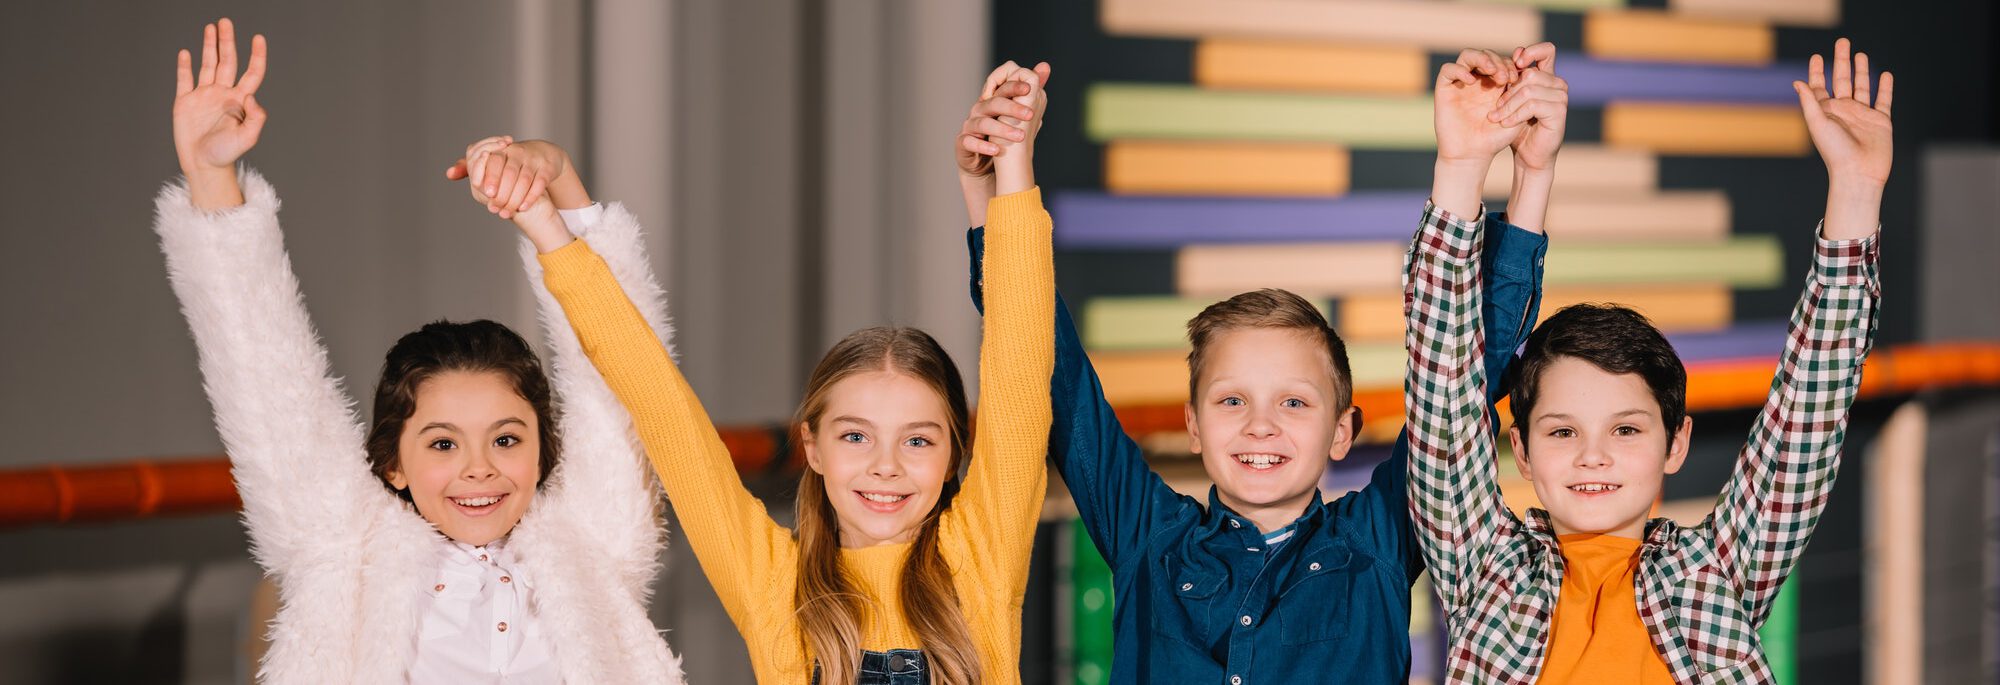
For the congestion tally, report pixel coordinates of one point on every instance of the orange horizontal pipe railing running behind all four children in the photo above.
(141, 490)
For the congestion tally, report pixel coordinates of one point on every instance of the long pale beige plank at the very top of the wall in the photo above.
(1425, 25)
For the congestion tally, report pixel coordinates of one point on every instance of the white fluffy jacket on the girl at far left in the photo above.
(353, 560)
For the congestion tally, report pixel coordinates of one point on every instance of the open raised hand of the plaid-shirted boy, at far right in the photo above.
(1855, 139)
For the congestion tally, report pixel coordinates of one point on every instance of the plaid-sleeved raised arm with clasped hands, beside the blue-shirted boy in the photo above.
(1483, 103)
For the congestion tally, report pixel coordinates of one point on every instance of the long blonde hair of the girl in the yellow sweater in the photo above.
(829, 604)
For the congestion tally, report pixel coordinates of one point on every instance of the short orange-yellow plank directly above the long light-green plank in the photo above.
(1289, 65)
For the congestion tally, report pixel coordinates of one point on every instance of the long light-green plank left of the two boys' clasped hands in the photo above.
(1163, 111)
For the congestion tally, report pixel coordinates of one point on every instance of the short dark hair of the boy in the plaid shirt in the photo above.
(1609, 337)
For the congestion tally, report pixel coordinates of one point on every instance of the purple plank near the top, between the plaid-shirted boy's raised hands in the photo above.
(1595, 83)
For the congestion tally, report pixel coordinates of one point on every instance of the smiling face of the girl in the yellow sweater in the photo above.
(885, 452)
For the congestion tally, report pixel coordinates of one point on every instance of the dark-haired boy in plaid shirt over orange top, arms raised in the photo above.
(1591, 590)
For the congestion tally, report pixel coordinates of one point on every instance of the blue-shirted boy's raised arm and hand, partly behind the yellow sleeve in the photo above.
(1117, 494)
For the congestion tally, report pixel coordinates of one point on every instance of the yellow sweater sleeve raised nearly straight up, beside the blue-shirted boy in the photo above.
(993, 520)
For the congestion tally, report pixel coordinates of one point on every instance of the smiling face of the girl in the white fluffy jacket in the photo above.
(469, 456)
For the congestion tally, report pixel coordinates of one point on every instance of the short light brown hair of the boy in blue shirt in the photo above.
(1269, 309)
